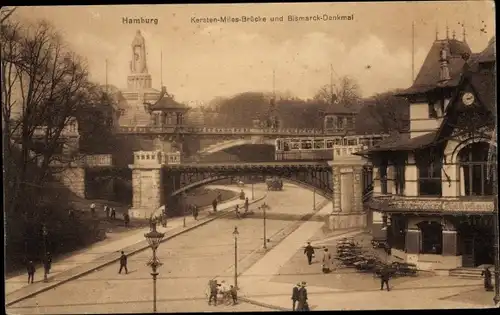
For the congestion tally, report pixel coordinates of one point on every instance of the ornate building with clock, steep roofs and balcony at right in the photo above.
(433, 187)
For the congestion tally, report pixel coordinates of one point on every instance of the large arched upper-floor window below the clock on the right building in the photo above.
(475, 170)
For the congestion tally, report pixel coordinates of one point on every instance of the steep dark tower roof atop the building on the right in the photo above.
(428, 77)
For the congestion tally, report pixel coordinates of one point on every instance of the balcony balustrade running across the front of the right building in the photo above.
(427, 204)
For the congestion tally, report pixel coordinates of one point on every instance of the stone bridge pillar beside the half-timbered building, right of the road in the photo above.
(348, 211)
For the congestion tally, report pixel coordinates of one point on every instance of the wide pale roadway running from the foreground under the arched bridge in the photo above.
(189, 261)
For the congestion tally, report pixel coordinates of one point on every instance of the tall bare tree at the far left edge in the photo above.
(44, 87)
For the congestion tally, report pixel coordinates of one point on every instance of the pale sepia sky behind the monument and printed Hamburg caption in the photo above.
(205, 60)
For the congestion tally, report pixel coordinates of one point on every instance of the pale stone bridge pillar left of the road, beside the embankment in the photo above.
(146, 183)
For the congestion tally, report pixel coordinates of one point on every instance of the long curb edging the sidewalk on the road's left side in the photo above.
(143, 245)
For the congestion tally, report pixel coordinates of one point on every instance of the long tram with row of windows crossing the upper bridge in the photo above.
(320, 148)
